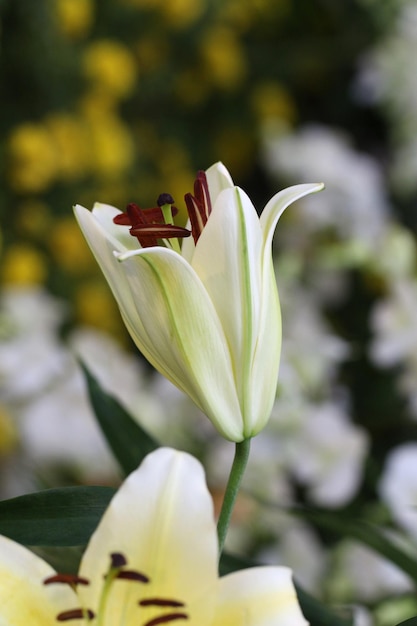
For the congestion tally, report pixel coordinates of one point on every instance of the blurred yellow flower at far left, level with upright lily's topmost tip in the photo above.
(32, 158)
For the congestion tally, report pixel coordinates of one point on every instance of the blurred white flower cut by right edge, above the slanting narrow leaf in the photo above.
(398, 486)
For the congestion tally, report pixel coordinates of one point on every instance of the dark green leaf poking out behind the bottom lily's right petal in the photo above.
(313, 610)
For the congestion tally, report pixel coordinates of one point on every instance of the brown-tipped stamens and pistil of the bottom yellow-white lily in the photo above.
(169, 609)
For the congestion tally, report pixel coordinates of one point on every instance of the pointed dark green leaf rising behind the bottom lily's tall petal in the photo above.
(129, 442)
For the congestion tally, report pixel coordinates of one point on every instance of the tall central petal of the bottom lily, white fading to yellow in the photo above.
(162, 520)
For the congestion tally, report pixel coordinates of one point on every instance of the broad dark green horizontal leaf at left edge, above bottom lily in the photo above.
(54, 517)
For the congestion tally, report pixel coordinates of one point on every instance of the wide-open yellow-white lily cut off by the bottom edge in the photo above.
(152, 560)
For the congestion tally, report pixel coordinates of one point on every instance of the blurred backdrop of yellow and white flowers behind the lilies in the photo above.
(119, 100)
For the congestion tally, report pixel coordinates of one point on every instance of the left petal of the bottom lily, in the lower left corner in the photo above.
(23, 597)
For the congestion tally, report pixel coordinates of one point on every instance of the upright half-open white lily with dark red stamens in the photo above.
(206, 314)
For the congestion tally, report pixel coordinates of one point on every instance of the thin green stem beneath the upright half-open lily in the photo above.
(236, 474)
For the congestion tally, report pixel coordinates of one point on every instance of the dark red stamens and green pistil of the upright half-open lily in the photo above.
(150, 226)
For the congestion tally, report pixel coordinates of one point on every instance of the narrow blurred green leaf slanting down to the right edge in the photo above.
(362, 531)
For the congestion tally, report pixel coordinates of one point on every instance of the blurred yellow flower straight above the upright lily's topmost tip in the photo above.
(223, 57)
